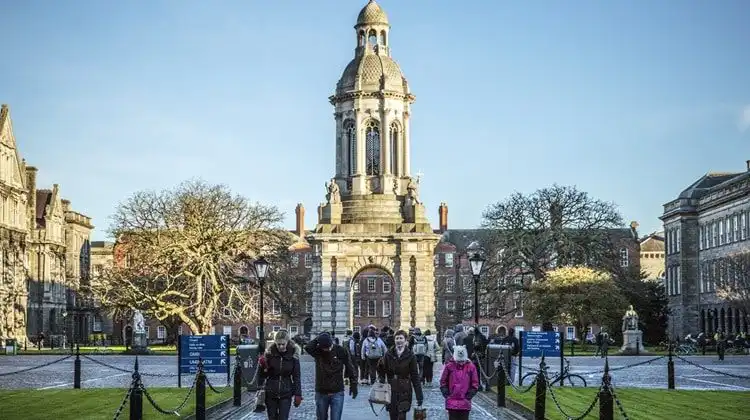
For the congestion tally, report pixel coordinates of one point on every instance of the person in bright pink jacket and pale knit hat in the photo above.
(459, 383)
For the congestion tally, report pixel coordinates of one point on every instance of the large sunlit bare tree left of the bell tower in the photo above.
(181, 250)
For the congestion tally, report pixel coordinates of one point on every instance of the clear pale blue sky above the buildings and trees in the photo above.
(629, 100)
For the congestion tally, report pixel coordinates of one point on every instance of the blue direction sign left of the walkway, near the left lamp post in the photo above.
(213, 350)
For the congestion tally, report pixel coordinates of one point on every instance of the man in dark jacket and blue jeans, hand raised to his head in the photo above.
(331, 364)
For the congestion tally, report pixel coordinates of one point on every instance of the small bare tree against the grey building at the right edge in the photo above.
(733, 285)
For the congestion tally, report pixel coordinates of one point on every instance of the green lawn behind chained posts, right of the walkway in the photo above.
(646, 404)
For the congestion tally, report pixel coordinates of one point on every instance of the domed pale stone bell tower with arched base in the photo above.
(372, 218)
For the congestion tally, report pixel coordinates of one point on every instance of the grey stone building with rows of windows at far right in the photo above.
(708, 223)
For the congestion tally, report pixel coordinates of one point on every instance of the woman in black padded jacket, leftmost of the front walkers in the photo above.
(280, 371)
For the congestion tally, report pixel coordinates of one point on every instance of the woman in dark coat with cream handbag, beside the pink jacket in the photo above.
(399, 368)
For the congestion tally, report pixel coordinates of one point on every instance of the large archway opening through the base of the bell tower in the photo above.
(373, 299)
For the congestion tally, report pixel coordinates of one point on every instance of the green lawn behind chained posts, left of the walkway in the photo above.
(90, 404)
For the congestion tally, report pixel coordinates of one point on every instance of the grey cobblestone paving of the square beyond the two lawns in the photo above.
(116, 373)
